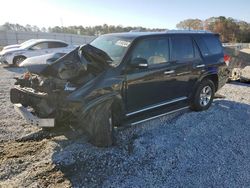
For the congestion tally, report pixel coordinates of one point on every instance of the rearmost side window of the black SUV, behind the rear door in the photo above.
(209, 45)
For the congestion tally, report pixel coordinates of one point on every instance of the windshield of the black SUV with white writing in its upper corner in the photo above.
(115, 47)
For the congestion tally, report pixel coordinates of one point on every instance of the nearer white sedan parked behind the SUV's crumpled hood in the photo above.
(14, 55)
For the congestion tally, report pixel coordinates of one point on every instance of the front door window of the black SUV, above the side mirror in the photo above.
(154, 50)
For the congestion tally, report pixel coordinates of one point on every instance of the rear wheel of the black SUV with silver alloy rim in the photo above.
(203, 96)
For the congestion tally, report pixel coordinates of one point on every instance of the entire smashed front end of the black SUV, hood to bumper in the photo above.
(41, 94)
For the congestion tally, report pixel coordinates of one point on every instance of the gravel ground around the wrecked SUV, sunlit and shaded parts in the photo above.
(186, 149)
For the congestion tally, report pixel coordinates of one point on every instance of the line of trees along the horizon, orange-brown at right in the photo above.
(230, 30)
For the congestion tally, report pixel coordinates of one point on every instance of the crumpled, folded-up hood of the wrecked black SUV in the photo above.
(71, 65)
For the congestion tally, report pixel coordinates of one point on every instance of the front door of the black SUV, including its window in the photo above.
(155, 84)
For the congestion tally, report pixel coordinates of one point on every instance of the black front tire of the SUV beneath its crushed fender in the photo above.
(99, 125)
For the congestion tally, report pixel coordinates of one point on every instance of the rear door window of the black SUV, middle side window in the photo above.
(182, 48)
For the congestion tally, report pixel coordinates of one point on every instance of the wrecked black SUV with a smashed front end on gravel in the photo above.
(123, 78)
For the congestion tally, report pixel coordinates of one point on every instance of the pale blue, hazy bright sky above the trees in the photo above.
(163, 14)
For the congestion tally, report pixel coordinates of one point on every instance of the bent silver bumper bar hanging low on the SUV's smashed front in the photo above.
(34, 120)
